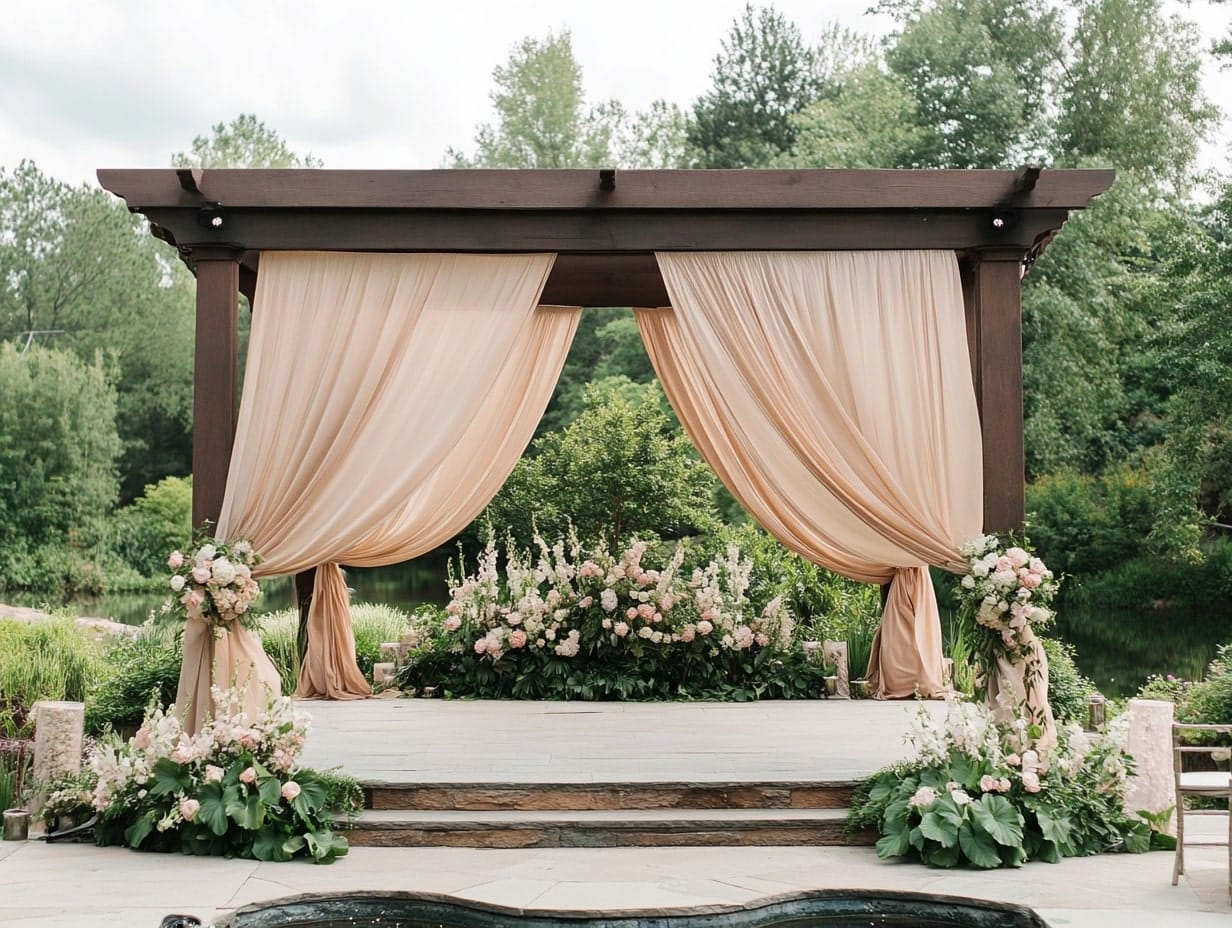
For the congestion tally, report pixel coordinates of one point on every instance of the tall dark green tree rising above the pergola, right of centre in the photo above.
(764, 75)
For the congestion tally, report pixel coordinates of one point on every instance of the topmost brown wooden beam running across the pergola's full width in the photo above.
(638, 190)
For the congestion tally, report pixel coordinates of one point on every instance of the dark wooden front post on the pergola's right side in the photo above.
(994, 290)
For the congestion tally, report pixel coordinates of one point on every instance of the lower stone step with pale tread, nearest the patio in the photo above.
(572, 829)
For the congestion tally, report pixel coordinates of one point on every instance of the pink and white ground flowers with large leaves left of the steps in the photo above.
(235, 789)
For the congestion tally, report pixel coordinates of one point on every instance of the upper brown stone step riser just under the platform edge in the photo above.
(599, 797)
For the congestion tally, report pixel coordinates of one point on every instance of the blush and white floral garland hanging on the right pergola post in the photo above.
(1007, 592)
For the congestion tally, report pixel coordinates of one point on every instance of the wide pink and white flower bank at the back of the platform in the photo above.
(630, 629)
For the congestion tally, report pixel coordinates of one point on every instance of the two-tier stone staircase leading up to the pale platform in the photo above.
(606, 815)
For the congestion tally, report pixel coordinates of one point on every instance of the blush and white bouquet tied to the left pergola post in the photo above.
(215, 584)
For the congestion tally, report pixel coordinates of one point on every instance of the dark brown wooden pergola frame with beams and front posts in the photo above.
(606, 227)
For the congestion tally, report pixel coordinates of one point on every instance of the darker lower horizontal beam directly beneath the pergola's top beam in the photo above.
(601, 232)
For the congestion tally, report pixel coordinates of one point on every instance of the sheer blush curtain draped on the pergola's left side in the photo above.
(386, 400)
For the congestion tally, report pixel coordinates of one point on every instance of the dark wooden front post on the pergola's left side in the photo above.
(215, 402)
